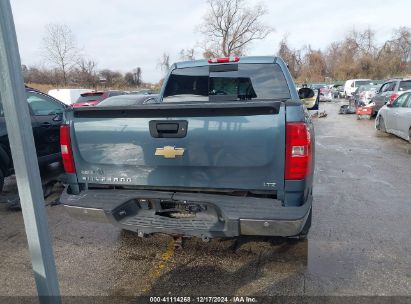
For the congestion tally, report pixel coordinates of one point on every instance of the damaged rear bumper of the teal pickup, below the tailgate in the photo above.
(218, 215)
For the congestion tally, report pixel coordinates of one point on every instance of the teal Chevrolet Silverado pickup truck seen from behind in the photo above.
(226, 150)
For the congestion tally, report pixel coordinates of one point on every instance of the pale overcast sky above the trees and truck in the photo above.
(125, 34)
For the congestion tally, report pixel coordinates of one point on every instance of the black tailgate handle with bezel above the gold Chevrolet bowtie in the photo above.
(168, 129)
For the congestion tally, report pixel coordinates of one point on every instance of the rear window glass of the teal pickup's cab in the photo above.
(250, 81)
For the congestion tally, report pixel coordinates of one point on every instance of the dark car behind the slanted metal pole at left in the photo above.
(46, 117)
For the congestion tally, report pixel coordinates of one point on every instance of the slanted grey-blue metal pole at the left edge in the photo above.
(18, 122)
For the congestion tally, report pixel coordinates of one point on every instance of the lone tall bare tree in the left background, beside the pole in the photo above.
(59, 48)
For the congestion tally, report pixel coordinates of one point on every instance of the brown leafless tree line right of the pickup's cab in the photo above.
(358, 55)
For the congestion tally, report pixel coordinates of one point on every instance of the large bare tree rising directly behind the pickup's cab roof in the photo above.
(230, 25)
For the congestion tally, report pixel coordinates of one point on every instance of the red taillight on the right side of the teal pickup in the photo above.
(298, 151)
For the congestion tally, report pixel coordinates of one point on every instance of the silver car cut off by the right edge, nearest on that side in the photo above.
(395, 118)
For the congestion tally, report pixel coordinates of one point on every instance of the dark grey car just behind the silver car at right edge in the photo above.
(390, 90)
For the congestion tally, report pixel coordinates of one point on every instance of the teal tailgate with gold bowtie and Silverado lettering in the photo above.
(228, 145)
